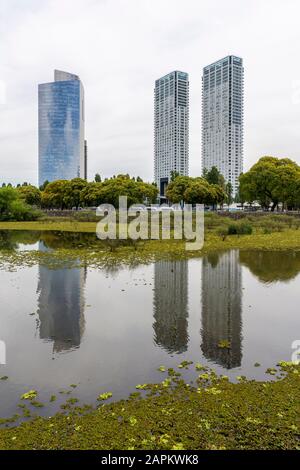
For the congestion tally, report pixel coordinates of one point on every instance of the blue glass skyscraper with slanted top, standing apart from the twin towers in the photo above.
(61, 128)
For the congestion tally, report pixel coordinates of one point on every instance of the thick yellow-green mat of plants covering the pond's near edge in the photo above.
(209, 414)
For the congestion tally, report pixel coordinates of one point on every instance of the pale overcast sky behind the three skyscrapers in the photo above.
(119, 48)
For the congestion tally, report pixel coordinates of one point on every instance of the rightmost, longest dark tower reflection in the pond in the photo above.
(222, 309)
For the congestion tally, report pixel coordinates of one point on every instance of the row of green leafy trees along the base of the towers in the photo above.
(272, 182)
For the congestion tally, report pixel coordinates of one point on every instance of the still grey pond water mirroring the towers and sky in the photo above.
(110, 329)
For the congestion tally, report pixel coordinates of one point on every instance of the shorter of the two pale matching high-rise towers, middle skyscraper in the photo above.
(171, 128)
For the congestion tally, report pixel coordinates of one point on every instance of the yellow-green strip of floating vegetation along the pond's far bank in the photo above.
(66, 251)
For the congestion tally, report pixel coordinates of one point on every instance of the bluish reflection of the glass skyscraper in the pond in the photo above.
(61, 305)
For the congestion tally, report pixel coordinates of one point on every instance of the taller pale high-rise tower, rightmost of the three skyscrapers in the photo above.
(222, 118)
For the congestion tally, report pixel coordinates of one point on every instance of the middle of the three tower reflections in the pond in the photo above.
(171, 305)
